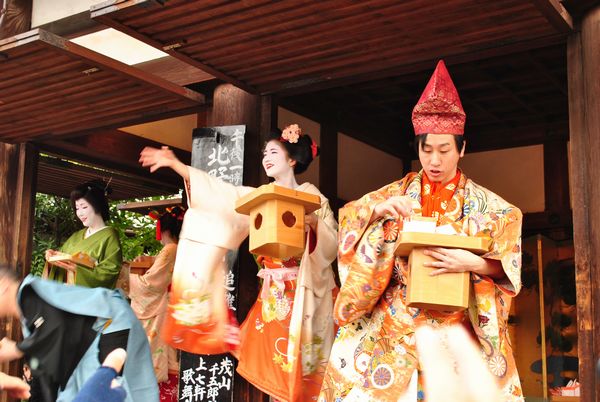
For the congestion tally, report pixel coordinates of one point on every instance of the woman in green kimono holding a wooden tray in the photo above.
(96, 239)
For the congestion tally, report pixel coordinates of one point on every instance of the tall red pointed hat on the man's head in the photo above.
(439, 110)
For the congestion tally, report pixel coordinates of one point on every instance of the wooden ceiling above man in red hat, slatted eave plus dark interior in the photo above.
(363, 64)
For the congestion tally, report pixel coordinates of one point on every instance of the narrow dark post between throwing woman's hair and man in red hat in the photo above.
(328, 161)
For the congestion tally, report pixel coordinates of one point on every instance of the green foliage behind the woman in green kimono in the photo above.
(55, 222)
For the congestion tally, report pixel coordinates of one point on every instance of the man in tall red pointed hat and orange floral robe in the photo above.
(374, 356)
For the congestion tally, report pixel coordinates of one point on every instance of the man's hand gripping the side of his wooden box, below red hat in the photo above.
(453, 260)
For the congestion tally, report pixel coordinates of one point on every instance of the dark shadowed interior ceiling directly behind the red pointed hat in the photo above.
(510, 101)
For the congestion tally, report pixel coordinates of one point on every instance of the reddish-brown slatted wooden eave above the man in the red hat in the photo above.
(267, 46)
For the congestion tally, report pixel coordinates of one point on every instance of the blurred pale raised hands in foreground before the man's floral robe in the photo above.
(453, 368)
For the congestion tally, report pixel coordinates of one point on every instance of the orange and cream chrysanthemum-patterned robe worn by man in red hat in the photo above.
(374, 355)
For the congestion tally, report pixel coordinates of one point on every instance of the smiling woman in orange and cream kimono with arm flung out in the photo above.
(288, 333)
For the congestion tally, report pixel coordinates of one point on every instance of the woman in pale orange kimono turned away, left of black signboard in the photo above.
(149, 298)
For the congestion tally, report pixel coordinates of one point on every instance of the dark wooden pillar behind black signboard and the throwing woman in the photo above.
(232, 106)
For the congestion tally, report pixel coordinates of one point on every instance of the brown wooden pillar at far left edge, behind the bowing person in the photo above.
(18, 169)
